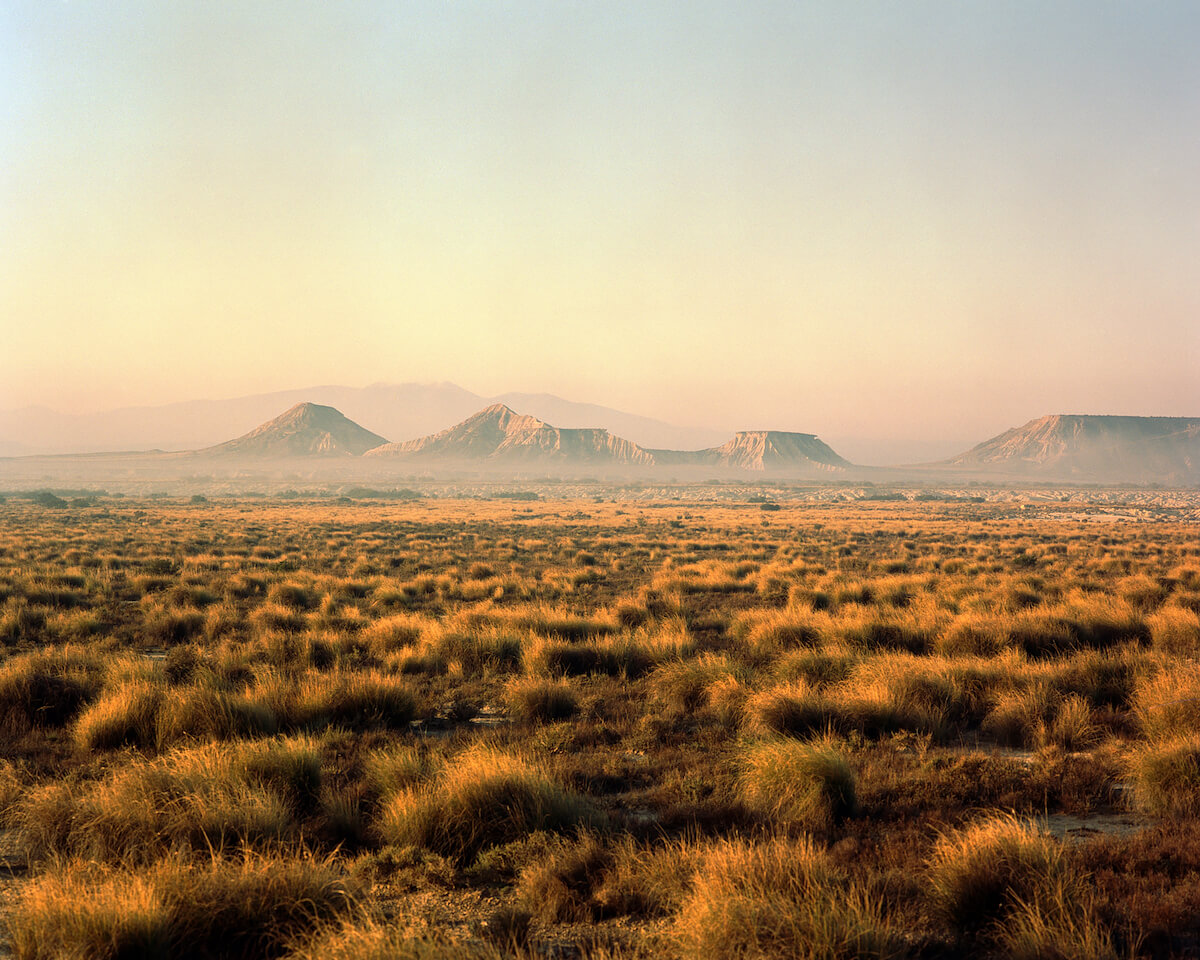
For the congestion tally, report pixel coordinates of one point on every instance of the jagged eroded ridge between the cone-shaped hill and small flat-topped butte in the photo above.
(497, 435)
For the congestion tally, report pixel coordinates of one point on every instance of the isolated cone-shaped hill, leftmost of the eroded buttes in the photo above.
(307, 430)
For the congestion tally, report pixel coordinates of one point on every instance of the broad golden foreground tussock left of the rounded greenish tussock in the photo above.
(482, 799)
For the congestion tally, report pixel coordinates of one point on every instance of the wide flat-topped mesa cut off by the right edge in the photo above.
(1103, 449)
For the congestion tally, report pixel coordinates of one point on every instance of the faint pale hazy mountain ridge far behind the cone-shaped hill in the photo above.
(400, 411)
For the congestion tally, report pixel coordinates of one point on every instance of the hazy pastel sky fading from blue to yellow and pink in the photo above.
(891, 219)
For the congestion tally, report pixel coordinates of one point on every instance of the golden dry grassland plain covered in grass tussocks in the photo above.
(599, 729)
